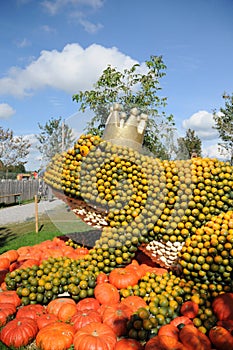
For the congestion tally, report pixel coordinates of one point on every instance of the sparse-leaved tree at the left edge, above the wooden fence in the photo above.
(13, 149)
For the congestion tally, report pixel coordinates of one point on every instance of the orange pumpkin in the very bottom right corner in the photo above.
(221, 338)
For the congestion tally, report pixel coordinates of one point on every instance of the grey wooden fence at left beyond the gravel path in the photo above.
(12, 191)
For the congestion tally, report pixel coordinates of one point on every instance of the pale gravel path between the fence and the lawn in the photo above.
(24, 212)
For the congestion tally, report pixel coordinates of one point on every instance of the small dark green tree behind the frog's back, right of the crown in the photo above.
(188, 144)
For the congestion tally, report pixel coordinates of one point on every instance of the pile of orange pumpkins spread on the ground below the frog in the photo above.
(103, 321)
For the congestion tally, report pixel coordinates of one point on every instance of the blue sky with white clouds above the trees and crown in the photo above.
(51, 49)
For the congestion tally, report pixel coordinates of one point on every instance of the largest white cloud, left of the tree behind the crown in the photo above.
(70, 70)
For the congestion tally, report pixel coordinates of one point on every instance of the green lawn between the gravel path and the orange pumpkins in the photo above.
(56, 222)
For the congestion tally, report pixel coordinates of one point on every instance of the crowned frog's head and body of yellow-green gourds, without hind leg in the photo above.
(138, 200)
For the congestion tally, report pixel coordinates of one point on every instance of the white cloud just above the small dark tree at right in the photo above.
(202, 123)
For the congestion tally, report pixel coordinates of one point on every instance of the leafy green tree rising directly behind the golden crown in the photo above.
(130, 89)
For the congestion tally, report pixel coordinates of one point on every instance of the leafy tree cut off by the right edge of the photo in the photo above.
(224, 125)
